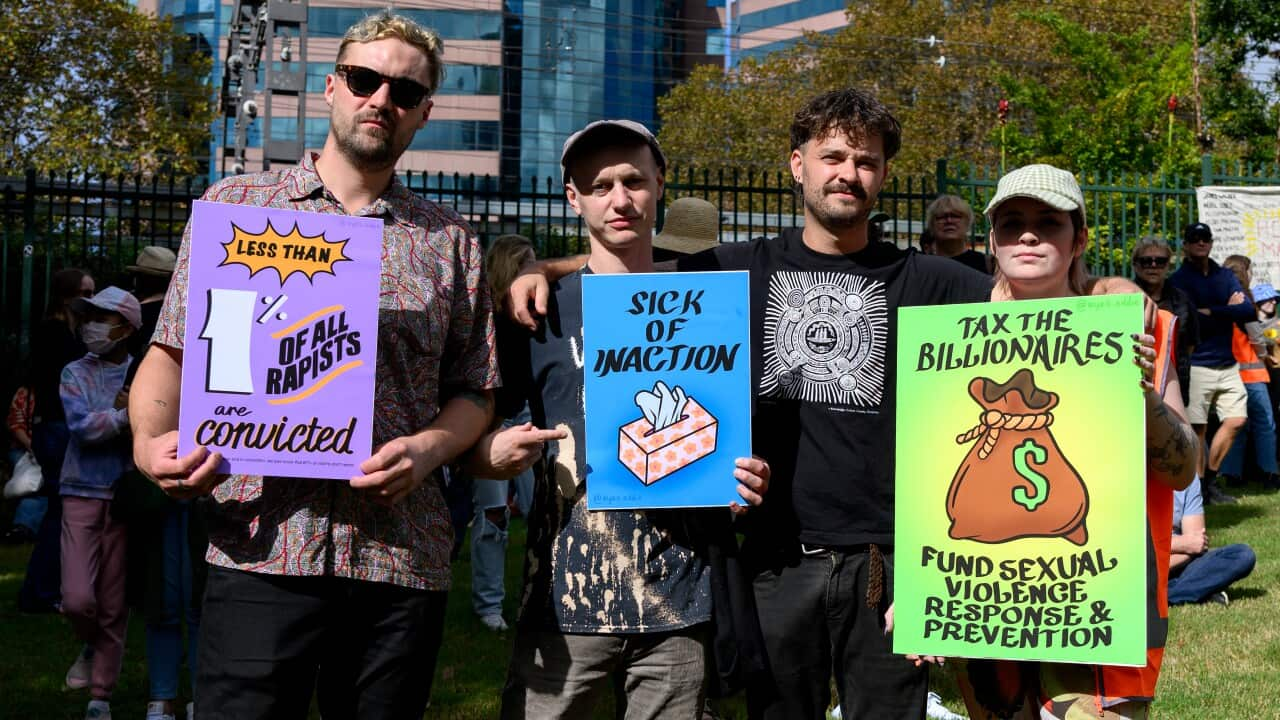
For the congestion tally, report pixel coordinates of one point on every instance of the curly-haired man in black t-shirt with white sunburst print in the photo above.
(825, 306)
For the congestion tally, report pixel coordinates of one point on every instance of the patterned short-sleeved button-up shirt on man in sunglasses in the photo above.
(435, 340)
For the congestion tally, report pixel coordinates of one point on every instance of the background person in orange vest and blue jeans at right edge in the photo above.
(1261, 429)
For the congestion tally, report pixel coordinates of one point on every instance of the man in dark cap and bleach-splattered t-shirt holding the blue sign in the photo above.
(607, 593)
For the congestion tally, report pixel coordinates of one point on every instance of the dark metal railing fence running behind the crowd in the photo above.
(100, 224)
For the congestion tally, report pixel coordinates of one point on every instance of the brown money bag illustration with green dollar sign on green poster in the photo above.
(1016, 482)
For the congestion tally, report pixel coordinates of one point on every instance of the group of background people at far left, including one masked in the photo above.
(106, 540)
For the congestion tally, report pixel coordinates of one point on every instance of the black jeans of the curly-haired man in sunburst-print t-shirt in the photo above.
(816, 622)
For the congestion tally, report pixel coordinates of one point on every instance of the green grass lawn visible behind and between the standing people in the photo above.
(1220, 664)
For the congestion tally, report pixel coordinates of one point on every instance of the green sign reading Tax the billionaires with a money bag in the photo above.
(1021, 526)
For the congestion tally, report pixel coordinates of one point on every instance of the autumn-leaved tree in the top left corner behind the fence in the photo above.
(97, 86)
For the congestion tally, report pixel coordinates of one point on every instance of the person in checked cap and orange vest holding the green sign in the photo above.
(1039, 239)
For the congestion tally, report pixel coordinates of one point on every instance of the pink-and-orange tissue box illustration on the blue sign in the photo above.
(674, 434)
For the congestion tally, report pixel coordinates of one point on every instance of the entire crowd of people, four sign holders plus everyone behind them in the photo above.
(294, 590)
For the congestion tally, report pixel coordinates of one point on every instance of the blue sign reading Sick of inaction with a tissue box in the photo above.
(668, 366)
